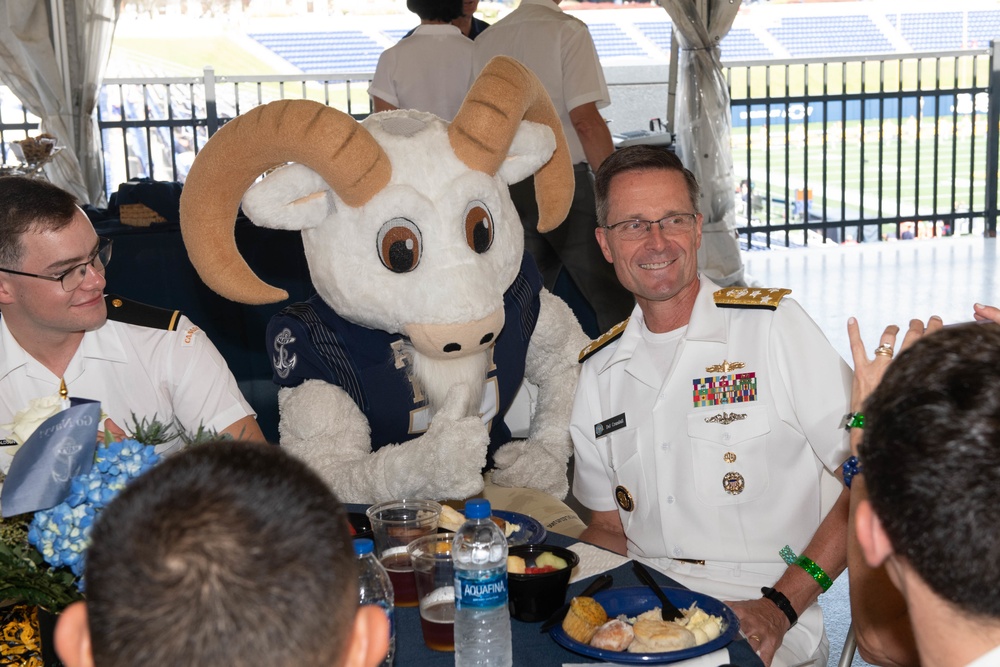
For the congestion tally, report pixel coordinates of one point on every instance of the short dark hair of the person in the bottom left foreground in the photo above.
(225, 554)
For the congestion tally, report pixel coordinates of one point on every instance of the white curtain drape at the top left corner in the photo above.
(55, 68)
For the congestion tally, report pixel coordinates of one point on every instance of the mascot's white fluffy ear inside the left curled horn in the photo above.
(291, 197)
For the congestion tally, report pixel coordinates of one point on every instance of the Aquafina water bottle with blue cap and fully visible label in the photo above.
(482, 622)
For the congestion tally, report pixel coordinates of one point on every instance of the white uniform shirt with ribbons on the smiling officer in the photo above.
(672, 454)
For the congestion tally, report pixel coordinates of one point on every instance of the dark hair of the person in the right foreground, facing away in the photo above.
(931, 462)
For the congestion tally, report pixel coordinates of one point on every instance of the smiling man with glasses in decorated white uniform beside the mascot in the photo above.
(707, 427)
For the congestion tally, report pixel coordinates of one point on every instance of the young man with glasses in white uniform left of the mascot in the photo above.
(57, 325)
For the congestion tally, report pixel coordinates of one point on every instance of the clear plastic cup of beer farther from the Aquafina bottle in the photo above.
(395, 524)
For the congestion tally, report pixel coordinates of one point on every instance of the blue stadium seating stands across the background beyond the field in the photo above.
(870, 29)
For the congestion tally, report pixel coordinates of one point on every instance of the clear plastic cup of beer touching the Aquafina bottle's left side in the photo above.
(434, 573)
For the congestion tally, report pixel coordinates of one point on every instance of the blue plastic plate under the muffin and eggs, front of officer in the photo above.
(634, 601)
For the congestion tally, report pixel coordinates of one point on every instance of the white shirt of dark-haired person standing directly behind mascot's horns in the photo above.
(431, 70)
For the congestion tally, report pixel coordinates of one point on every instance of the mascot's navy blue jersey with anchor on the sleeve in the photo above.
(309, 341)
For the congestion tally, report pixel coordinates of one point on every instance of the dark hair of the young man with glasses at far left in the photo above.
(27, 204)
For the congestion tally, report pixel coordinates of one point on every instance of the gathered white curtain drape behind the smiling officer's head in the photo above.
(702, 124)
